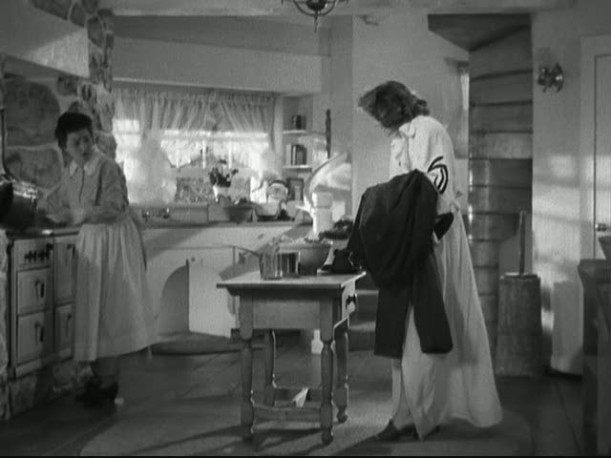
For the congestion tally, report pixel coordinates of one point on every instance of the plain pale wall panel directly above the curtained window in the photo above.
(213, 66)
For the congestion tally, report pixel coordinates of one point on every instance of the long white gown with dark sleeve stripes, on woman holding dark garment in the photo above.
(460, 384)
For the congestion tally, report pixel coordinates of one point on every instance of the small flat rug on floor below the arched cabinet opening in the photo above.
(194, 343)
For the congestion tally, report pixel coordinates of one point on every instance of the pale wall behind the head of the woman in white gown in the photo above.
(399, 48)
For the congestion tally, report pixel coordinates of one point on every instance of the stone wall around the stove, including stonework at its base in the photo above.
(32, 107)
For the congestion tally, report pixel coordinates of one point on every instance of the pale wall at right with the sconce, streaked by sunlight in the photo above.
(557, 192)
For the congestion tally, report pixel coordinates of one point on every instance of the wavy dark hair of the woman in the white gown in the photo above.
(392, 104)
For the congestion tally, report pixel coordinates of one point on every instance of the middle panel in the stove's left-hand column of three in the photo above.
(34, 290)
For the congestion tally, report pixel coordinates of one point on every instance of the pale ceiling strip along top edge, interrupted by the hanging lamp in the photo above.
(285, 8)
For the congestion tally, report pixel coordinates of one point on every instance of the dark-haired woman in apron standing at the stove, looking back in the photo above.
(112, 311)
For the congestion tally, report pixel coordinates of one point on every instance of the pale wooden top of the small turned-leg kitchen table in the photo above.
(253, 280)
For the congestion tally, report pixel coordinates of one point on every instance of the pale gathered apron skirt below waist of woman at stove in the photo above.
(112, 309)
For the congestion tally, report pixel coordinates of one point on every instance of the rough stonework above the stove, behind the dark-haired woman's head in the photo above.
(32, 107)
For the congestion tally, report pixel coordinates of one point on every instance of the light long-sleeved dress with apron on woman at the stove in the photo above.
(113, 313)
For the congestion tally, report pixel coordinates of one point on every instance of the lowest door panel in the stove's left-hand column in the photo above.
(34, 336)
